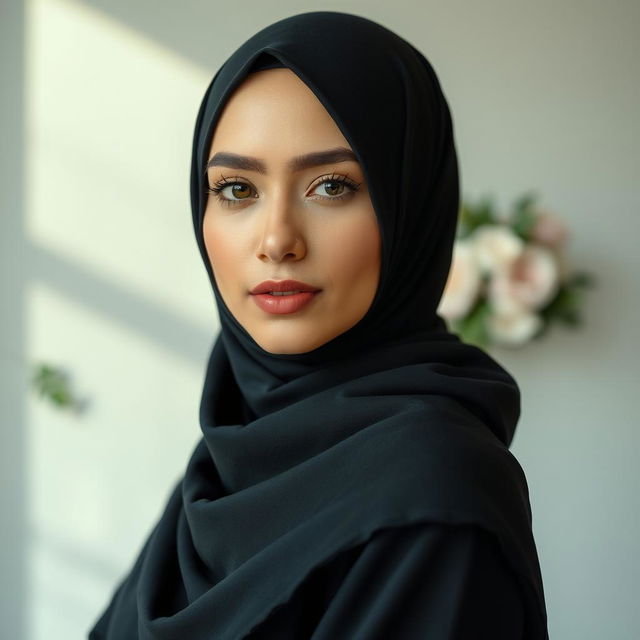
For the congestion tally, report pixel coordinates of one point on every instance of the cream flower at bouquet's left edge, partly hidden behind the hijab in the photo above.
(463, 283)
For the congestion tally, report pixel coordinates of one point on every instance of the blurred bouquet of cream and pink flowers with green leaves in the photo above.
(509, 277)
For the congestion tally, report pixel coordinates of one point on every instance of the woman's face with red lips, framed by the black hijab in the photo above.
(272, 219)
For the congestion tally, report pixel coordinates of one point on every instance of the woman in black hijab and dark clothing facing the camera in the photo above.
(354, 479)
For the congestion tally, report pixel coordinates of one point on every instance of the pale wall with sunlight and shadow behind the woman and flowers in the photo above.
(101, 275)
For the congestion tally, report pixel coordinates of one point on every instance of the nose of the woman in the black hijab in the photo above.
(281, 236)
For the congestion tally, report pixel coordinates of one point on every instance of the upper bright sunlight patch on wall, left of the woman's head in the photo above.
(110, 117)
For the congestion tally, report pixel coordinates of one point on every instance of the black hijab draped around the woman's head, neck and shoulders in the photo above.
(394, 422)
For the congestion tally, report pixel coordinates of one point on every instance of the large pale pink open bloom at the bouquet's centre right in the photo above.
(529, 283)
